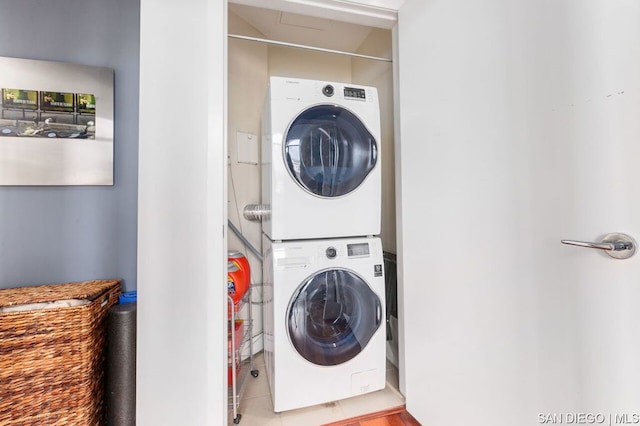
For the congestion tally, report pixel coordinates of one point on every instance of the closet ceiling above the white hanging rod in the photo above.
(301, 29)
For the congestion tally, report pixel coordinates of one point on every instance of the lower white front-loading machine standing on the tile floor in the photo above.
(324, 315)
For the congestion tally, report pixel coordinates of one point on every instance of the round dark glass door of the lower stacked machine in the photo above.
(332, 316)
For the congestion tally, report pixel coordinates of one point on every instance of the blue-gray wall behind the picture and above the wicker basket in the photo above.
(76, 233)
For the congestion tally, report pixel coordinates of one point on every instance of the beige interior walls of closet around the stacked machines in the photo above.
(250, 65)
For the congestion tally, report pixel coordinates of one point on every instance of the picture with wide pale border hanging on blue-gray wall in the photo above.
(56, 123)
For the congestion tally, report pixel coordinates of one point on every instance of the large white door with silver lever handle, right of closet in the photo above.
(519, 127)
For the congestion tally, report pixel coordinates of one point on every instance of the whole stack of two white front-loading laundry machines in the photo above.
(323, 275)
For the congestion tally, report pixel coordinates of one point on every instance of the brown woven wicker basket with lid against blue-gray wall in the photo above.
(51, 360)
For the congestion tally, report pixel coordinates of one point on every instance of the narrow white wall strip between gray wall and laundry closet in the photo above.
(181, 362)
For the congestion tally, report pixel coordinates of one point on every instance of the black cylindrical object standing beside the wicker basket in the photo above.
(120, 368)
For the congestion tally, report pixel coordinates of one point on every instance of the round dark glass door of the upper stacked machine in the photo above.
(328, 151)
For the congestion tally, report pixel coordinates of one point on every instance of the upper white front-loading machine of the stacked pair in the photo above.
(320, 160)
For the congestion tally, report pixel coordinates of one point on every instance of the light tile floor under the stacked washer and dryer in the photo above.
(257, 410)
